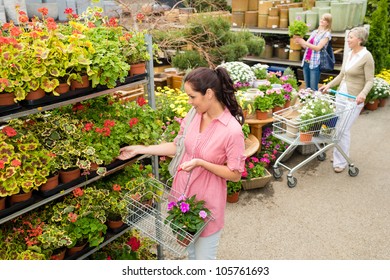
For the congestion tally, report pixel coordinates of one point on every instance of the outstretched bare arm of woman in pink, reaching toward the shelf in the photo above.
(164, 149)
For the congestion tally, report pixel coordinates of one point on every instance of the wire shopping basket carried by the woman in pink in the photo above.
(149, 216)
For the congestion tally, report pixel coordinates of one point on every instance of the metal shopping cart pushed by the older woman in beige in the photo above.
(325, 132)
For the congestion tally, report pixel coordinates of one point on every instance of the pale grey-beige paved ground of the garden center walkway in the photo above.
(327, 216)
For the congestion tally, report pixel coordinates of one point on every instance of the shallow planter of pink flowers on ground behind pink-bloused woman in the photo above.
(255, 174)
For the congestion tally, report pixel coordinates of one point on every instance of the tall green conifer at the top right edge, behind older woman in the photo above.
(379, 36)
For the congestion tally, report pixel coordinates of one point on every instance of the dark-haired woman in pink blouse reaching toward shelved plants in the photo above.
(214, 150)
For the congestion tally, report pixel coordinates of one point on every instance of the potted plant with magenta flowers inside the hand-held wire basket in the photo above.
(187, 217)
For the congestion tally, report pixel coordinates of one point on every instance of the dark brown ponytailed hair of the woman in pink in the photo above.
(219, 81)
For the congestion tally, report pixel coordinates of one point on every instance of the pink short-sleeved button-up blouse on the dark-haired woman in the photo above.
(222, 142)
